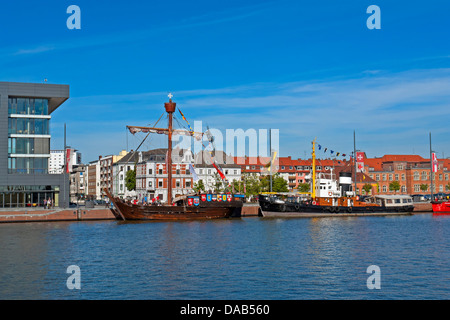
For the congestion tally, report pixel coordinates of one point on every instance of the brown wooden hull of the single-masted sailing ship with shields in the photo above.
(125, 211)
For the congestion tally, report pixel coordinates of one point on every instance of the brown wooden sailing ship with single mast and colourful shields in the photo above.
(187, 207)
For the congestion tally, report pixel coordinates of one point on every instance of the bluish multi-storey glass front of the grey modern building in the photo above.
(28, 155)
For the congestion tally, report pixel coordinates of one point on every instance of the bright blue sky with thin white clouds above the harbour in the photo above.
(308, 68)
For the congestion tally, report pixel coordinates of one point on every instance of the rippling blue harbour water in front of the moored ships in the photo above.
(239, 259)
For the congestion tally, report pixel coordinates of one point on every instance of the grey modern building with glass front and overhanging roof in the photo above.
(25, 114)
